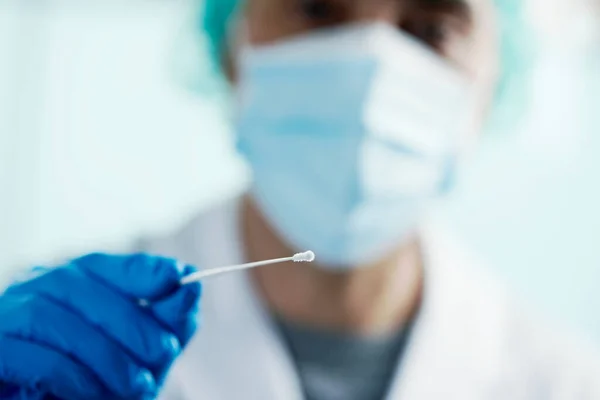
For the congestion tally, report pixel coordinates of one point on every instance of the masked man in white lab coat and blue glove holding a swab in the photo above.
(354, 116)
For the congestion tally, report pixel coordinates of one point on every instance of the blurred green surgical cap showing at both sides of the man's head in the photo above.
(516, 51)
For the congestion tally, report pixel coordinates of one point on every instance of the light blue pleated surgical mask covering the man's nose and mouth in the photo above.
(349, 133)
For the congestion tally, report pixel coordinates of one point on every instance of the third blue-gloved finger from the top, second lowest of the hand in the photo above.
(40, 320)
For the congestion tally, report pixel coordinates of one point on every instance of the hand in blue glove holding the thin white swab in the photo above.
(100, 327)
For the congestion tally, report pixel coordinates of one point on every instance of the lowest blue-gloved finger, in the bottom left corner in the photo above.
(37, 369)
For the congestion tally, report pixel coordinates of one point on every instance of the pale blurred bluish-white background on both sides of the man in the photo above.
(102, 140)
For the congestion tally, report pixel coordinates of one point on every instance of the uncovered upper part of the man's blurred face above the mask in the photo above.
(461, 31)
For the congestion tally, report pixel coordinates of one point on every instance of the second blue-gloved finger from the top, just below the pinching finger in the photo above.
(120, 318)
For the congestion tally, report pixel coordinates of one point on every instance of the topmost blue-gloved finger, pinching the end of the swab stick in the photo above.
(141, 276)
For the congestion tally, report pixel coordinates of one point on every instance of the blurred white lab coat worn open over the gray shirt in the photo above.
(469, 341)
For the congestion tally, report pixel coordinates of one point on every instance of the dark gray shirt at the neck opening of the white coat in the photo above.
(335, 366)
